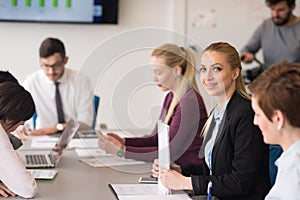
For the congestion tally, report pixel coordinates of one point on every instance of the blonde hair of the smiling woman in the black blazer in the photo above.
(233, 59)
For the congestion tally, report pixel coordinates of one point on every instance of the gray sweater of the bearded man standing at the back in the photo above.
(278, 43)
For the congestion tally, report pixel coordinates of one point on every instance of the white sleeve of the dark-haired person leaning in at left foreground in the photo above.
(12, 170)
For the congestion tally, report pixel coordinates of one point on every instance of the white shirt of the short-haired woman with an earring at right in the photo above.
(287, 183)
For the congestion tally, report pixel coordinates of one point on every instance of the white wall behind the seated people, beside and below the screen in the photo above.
(114, 56)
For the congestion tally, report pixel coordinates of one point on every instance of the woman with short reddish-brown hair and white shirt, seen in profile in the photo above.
(275, 101)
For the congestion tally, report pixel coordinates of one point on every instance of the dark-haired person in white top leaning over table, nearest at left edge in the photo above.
(16, 106)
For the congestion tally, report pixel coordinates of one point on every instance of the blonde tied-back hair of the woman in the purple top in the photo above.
(179, 56)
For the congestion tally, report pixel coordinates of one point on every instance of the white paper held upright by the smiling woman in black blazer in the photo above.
(163, 152)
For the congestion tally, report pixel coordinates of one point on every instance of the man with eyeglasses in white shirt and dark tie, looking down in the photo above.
(59, 93)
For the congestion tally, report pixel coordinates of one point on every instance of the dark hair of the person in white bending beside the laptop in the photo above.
(16, 103)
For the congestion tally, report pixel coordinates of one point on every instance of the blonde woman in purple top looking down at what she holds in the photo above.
(183, 110)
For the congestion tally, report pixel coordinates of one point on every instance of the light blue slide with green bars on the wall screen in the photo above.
(50, 10)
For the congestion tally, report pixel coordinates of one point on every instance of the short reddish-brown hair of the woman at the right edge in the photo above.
(278, 88)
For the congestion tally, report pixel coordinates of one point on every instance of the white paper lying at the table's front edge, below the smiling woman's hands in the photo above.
(145, 192)
